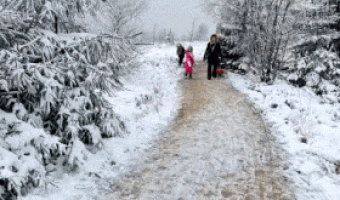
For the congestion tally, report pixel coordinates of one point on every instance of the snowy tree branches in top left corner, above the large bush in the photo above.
(19, 18)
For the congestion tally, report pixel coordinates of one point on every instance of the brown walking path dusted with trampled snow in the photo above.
(217, 148)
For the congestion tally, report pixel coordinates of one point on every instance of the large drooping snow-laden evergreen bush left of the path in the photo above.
(57, 85)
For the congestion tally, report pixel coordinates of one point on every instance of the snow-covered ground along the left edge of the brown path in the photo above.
(147, 105)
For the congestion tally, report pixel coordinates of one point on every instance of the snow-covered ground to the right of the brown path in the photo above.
(308, 128)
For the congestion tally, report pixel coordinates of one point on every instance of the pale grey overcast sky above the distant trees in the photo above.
(177, 15)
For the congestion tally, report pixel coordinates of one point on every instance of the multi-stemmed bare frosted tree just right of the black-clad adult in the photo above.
(263, 26)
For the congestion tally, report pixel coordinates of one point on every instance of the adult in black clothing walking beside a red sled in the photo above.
(212, 54)
